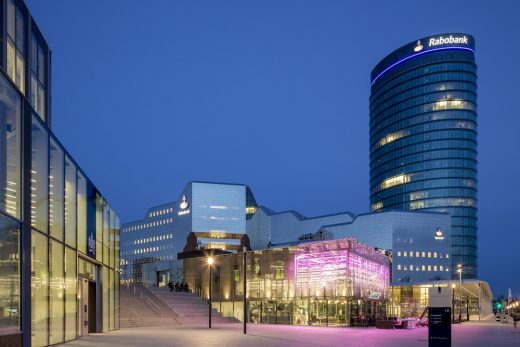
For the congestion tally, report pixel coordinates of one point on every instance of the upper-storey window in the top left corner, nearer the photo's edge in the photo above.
(15, 45)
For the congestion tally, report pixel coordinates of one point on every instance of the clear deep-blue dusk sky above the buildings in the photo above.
(148, 95)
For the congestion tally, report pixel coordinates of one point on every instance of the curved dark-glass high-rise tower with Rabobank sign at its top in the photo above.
(423, 136)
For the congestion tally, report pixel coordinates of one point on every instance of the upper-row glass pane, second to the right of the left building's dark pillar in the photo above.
(56, 190)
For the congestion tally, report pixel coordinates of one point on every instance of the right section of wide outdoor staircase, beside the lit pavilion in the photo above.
(189, 308)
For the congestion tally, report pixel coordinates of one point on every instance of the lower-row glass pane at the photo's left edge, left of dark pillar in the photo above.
(10, 275)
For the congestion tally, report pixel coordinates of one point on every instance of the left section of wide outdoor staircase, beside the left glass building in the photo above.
(140, 308)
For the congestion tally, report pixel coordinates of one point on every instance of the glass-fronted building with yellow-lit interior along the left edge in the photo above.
(59, 238)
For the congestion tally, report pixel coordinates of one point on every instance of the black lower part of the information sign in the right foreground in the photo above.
(439, 326)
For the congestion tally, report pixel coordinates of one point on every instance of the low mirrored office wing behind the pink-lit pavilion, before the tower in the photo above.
(419, 242)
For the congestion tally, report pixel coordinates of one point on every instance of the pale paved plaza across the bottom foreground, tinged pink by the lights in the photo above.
(230, 335)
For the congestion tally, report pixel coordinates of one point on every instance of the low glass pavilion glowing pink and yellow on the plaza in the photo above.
(330, 283)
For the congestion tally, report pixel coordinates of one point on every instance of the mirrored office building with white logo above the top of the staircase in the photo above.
(206, 215)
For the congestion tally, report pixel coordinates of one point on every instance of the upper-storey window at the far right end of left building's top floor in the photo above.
(38, 76)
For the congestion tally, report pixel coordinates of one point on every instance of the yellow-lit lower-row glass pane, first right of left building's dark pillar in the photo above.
(40, 289)
